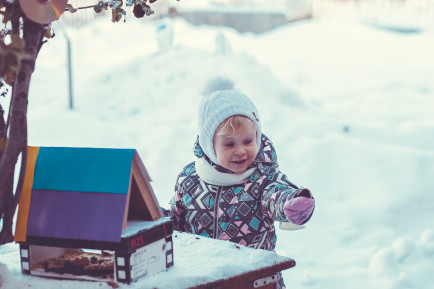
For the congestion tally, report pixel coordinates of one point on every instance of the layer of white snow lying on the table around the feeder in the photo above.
(197, 260)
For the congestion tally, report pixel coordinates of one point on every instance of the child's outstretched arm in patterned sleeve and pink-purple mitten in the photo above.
(284, 202)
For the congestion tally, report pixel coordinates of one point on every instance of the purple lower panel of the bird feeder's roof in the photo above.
(76, 215)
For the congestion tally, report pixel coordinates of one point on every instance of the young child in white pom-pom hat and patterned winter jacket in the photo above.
(234, 190)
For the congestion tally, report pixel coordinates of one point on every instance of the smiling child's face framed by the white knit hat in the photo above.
(236, 151)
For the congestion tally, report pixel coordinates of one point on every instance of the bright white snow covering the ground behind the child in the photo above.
(348, 102)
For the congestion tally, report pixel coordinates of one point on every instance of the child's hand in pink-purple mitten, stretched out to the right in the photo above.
(299, 209)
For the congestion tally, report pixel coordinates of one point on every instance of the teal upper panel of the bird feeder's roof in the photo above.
(83, 169)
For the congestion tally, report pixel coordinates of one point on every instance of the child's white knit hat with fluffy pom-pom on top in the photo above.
(220, 100)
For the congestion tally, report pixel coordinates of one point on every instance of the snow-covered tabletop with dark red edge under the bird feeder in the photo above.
(199, 262)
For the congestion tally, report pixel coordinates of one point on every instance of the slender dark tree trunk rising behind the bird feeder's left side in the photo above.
(16, 143)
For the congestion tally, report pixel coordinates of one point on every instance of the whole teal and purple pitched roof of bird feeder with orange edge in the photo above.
(77, 193)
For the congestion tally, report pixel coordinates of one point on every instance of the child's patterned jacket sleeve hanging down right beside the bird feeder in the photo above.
(178, 210)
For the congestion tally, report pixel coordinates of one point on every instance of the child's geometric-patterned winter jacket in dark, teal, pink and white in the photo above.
(242, 213)
